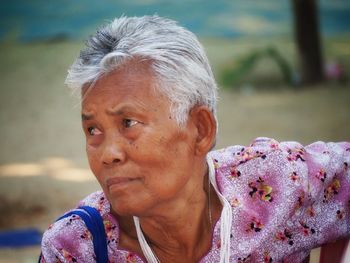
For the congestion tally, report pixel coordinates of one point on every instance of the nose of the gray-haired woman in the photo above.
(113, 152)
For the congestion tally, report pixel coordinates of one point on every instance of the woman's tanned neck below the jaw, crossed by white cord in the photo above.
(182, 228)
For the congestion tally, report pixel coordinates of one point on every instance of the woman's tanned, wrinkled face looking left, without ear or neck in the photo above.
(139, 155)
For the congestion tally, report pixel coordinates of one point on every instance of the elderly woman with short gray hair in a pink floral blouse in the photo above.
(148, 113)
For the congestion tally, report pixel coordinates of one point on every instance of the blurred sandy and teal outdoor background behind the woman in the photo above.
(283, 68)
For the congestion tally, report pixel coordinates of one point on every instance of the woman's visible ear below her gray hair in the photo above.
(205, 123)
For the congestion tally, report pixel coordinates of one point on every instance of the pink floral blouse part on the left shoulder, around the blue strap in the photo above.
(69, 240)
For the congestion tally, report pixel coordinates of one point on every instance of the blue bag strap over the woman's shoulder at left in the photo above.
(94, 222)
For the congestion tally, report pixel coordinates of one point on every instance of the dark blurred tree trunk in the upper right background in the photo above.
(306, 28)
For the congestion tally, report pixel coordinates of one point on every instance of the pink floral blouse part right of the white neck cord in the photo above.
(285, 196)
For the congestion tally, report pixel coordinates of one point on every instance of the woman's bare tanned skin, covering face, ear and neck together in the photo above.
(148, 165)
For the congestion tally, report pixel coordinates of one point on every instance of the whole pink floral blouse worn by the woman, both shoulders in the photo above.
(286, 199)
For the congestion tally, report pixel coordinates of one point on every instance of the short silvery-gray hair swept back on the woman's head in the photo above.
(177, 58)
